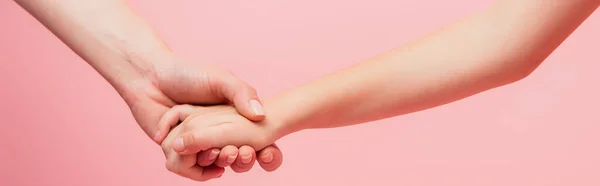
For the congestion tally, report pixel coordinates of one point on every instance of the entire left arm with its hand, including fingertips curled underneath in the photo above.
(118, 44)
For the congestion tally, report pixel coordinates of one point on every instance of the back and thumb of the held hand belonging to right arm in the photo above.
(219, 126)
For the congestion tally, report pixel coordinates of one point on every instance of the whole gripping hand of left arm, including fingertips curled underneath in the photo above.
(153, 105)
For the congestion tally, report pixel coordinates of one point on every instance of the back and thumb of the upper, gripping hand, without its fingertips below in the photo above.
(185, 82)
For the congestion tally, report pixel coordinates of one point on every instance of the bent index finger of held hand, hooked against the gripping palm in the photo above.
(170, 119)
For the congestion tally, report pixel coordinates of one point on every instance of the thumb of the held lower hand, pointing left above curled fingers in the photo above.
(199, 140)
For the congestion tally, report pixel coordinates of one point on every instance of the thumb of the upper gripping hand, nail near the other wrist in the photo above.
(243, 96)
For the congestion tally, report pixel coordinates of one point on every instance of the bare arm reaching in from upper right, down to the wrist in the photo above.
(486, 50)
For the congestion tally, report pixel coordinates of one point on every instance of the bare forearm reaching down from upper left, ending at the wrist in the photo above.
(108, 35)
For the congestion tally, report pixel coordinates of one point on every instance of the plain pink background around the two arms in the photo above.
(62, 124)
